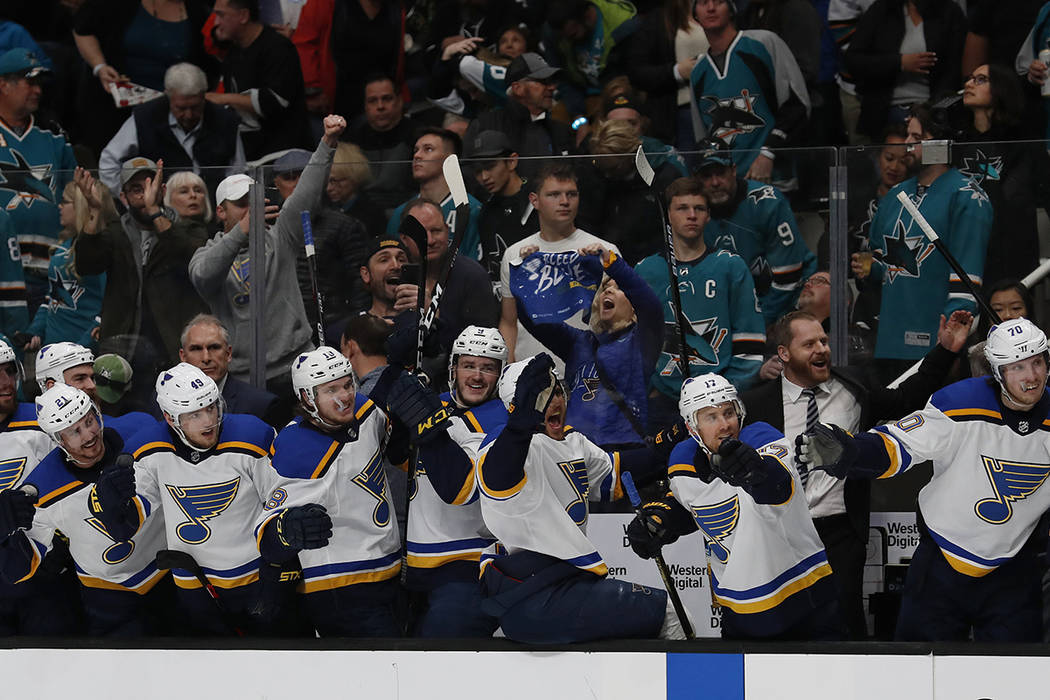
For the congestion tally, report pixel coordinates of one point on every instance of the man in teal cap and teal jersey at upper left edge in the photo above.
(36, 163)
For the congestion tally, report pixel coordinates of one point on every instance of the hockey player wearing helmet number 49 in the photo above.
(211, 476)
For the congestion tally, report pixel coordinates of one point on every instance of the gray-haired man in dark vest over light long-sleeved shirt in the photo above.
(181, 129)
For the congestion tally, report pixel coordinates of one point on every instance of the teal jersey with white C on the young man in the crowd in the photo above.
(723, 320)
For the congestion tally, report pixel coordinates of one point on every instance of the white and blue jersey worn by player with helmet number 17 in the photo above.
(760, 556)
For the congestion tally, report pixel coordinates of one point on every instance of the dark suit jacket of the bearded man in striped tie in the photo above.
(877, 404)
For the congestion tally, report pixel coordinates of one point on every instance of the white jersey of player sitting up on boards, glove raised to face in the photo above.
(548, 511)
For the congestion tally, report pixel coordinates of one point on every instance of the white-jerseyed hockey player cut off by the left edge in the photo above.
(45, 605)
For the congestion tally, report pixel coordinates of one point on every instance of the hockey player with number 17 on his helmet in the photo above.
(769, 570)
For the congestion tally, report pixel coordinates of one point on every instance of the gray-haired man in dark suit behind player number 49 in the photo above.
(206, 345)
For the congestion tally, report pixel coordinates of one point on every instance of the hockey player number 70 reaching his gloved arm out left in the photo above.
(975, 571)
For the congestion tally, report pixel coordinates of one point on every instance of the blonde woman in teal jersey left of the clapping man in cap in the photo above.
(72, 308)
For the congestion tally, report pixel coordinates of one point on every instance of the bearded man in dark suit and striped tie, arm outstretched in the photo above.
(811, 390)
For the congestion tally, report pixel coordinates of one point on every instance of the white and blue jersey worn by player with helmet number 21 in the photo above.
(69, 503)
